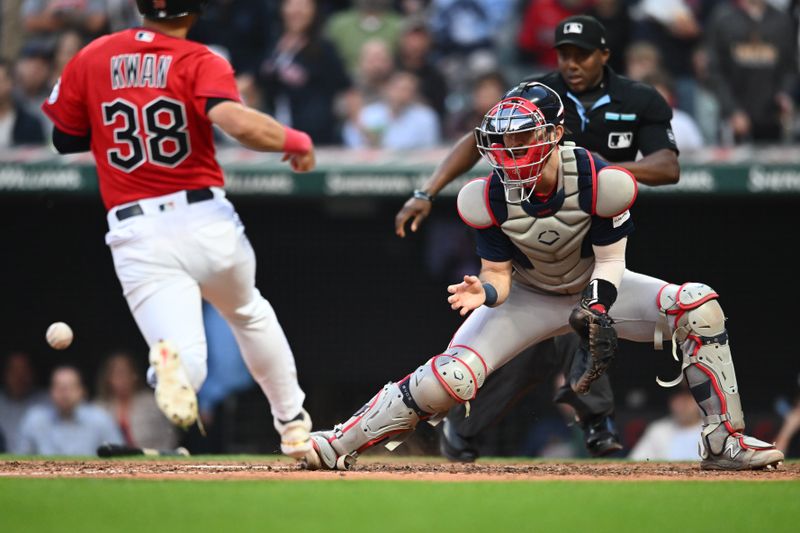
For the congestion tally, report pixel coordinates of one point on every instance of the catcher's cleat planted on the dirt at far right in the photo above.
(742, 452)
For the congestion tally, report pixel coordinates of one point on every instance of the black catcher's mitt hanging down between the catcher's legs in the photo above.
(598, 336)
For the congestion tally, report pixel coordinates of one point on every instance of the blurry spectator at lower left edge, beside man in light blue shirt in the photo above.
(19, 394)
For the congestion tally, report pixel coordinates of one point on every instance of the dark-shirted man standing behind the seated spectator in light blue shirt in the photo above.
(415, 56)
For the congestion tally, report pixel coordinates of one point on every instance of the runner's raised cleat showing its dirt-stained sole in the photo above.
(174, 394)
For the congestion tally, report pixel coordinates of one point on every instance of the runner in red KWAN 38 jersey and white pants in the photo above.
(143, 100)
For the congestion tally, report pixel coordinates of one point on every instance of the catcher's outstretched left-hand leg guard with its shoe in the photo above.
(446, 379)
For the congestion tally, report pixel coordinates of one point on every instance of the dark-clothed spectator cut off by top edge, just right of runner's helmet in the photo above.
(244, 29)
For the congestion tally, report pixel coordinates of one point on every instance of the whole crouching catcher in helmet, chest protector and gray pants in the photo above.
(552, 225)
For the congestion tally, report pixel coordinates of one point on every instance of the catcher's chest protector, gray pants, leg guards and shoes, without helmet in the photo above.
(551, 243)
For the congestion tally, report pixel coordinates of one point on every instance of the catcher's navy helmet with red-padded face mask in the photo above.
(518, 135)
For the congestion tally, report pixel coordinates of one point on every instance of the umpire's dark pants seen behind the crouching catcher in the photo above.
(507, 385)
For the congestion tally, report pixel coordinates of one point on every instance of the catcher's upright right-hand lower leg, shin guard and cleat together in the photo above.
(699, 328)
